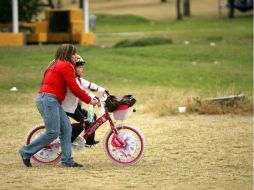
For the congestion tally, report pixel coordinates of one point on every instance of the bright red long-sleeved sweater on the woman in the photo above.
(60, 76)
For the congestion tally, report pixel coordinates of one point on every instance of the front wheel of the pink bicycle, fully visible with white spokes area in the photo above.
(133, 150)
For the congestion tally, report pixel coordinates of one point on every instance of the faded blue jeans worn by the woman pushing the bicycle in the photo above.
(56, 123)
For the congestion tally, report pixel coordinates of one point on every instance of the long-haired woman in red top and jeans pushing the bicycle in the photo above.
(58, 76)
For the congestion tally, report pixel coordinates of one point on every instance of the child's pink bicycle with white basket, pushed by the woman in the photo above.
(123, 143)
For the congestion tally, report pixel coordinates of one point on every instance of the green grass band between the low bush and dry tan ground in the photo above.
(177, 65)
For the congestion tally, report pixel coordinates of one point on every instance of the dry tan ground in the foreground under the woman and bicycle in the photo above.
(182, 152)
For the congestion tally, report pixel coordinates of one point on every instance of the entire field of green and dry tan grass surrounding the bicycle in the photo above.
(183, 151)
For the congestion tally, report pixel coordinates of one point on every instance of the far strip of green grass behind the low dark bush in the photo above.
(194, 29)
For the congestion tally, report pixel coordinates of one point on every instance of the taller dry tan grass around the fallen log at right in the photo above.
(163, 102)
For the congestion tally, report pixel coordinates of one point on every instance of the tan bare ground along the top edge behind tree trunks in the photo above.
(151, 9)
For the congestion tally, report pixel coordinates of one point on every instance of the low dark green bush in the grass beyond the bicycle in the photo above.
(142, 42)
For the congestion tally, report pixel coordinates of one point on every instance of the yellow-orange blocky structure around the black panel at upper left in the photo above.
(40, 32)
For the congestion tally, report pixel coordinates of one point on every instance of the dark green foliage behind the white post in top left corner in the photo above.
(27, 10)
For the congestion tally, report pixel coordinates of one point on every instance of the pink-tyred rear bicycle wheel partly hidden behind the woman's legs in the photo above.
(51, 154)
